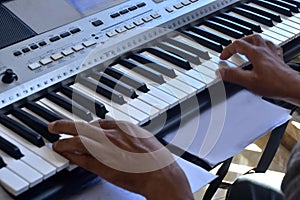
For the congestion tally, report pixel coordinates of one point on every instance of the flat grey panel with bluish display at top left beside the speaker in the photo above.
(45, 15)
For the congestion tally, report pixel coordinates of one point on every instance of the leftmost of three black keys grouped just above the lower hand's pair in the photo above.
(102, 90)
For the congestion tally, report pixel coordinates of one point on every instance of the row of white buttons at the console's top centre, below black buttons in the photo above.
(133, 25)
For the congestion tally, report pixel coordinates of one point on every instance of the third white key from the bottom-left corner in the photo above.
(31, 159)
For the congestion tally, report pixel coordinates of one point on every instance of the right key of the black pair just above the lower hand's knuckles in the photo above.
(93, 105)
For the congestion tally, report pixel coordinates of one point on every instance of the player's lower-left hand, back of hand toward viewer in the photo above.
(125, 155)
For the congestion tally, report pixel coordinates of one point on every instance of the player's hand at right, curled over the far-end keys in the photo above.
(270, 76)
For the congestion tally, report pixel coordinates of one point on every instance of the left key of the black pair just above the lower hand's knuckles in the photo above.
(70, 106)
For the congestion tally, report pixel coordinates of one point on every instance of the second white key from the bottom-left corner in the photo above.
(22, 170)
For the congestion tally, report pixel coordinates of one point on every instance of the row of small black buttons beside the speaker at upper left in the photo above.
(43, 43)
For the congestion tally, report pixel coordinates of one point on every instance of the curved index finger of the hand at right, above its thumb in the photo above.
(239, 46)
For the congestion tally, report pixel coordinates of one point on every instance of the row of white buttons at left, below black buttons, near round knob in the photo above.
(60, 55)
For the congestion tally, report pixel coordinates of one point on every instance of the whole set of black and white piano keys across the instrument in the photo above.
(138, 87)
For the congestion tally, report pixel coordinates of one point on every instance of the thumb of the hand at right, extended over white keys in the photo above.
(235, 75)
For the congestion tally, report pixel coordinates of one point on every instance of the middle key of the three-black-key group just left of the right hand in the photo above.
(180, 52)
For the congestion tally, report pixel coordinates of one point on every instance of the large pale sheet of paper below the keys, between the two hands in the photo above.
(229, 127)
